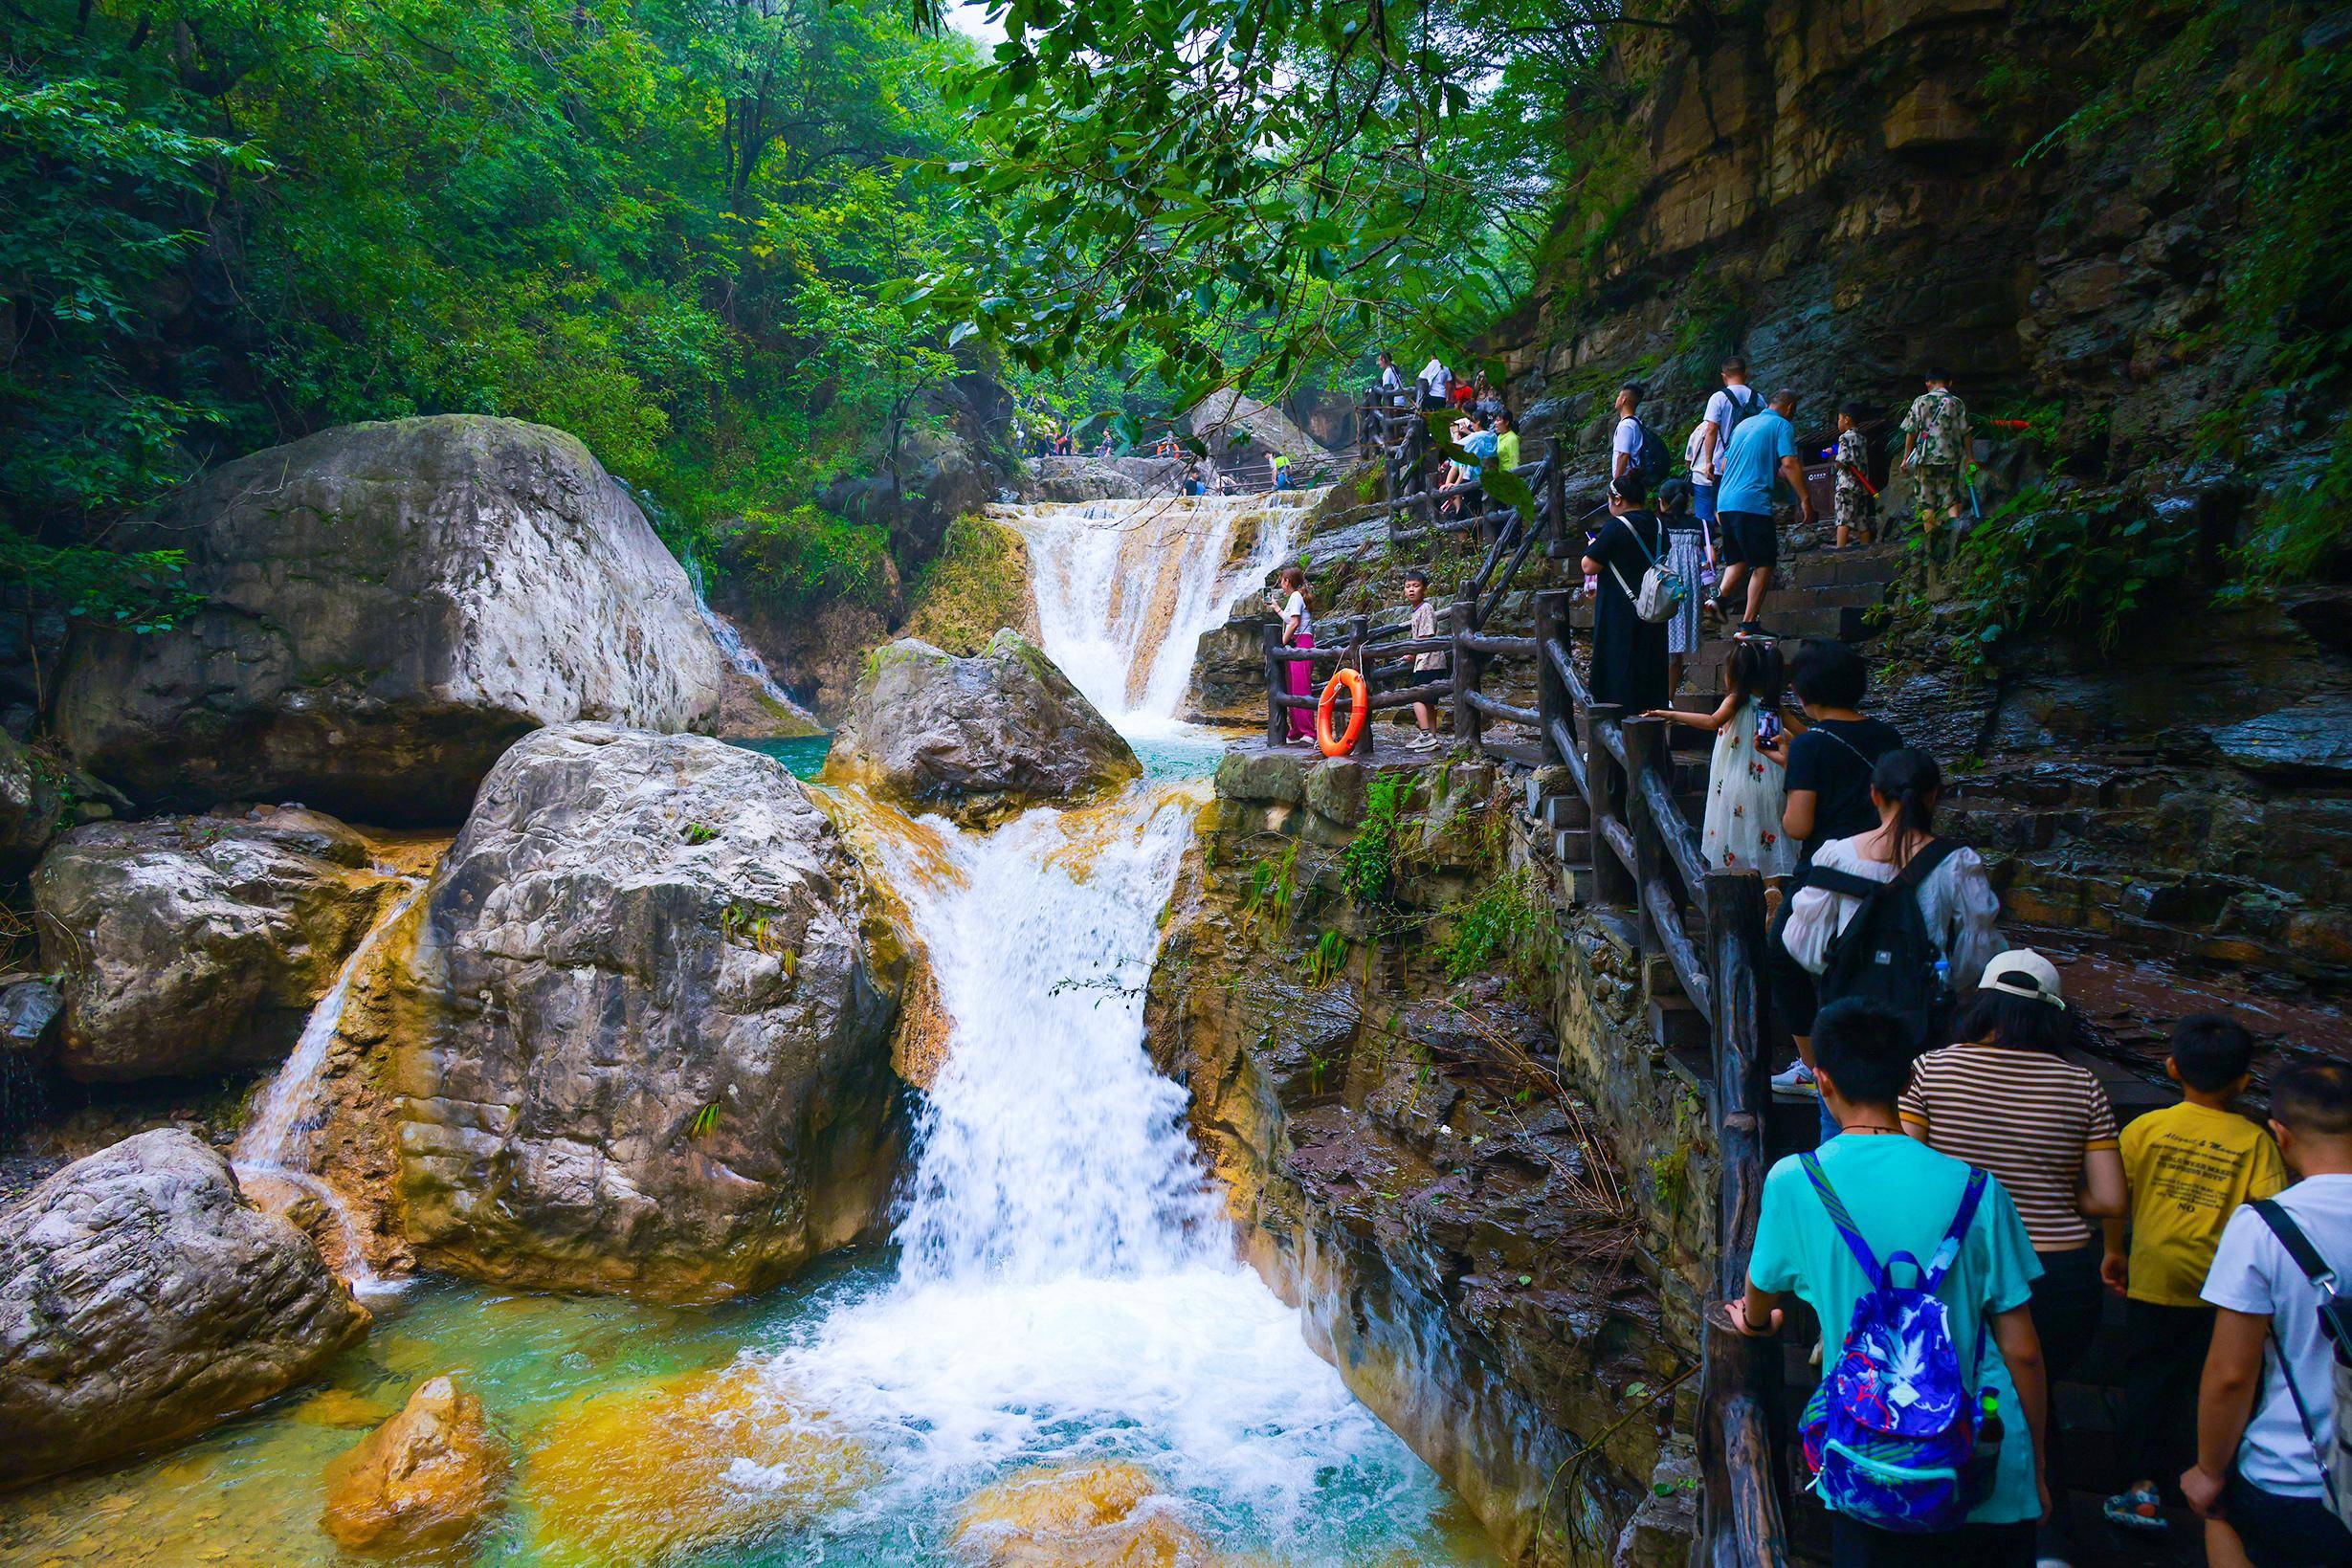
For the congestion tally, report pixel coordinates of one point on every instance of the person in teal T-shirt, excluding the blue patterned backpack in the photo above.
(1902, 1198)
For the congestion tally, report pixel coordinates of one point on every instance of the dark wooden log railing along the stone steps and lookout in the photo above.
(1706, 927)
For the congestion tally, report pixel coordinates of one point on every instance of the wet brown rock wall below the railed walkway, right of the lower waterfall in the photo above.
(1405, 1153)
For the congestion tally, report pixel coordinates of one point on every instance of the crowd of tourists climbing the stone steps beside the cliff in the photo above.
(1972, 1200)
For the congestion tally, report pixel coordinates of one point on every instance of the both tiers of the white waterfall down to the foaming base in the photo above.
(1069, 1287)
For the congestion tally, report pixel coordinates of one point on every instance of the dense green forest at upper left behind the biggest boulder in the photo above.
(662, 225)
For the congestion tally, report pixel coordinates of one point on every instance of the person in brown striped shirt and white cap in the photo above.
(2007, 1099)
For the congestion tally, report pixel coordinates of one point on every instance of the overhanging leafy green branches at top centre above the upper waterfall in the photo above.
(1248, 194)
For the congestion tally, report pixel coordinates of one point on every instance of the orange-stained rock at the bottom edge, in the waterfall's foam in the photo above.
(1081, 1517)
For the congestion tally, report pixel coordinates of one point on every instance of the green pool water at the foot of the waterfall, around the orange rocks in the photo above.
(250, 1492)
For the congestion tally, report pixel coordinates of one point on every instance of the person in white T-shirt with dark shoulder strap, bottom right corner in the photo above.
(2271, 1475)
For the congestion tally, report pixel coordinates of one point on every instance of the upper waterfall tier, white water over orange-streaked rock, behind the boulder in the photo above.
(1125, 589)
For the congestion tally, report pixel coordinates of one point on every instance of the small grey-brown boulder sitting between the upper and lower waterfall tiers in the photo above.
(977, 737)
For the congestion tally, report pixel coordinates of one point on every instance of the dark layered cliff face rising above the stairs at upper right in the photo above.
(1850, 192)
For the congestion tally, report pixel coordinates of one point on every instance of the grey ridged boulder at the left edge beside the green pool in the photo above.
(142, 1299)
